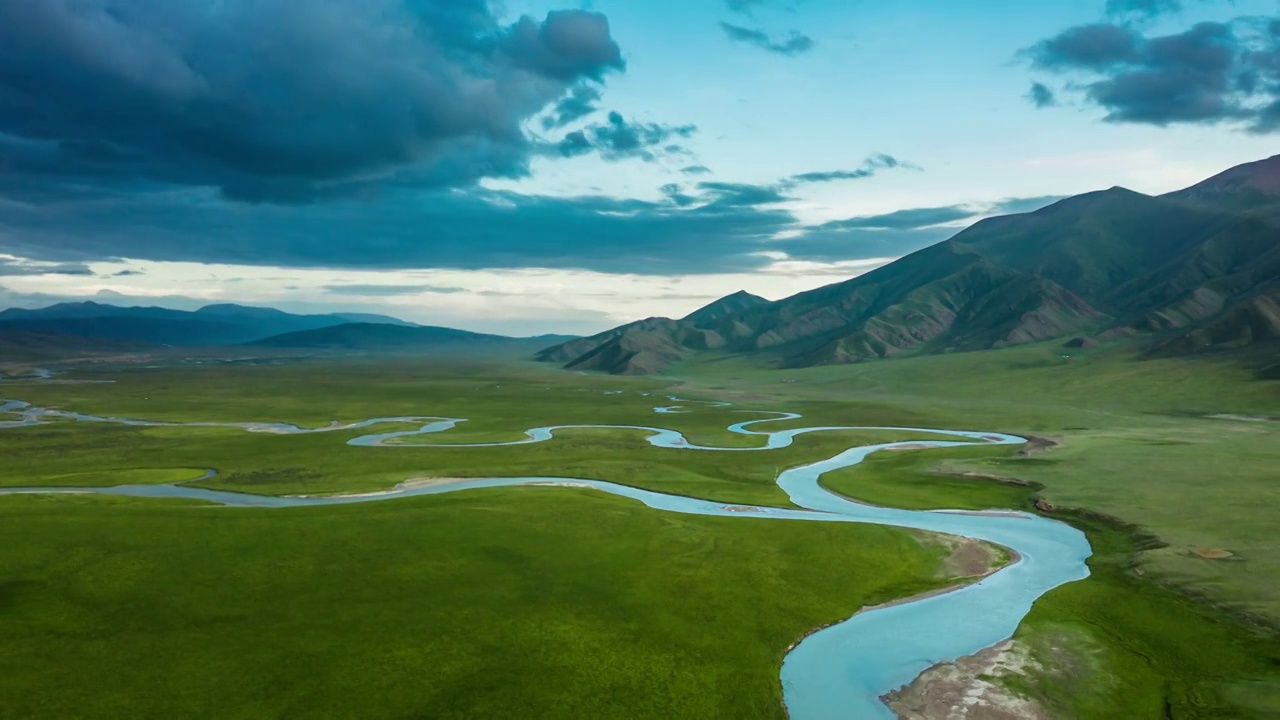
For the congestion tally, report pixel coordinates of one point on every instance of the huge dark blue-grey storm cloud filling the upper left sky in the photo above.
(280, 102)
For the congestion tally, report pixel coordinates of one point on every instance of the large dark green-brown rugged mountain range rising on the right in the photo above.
(1196, 270)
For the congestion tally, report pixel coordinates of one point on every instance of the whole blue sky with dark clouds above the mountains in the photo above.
(529, 167)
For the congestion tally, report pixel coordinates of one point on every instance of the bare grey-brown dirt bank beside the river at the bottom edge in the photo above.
(970, 689)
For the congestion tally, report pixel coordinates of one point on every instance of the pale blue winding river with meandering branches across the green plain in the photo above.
(839, 672)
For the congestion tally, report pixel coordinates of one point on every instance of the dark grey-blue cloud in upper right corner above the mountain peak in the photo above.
(1210, 74)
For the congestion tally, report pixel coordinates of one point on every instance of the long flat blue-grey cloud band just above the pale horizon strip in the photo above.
(409, 230)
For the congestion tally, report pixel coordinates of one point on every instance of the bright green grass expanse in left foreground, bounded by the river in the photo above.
(527, 603)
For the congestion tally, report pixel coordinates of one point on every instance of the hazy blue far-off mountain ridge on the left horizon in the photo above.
(213, 325)
